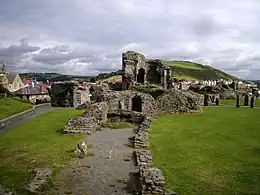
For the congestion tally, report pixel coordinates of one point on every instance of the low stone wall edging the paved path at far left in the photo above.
(19, 116)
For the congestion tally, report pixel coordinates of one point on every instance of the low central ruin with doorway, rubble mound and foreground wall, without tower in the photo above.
(137, 108)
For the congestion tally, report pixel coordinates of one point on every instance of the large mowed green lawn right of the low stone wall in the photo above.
(212, 153)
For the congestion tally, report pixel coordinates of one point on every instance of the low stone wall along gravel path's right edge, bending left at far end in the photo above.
(152, 179)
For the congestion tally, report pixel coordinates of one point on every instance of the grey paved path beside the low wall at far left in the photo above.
(38, 112)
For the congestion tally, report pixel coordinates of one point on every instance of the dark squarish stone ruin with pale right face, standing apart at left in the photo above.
(68, 94)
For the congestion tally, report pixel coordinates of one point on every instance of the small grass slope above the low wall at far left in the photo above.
(9, 106)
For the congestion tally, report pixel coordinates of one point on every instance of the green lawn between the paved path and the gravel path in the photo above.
(37, 143)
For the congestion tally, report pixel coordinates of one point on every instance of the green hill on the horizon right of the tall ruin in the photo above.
(193, 71)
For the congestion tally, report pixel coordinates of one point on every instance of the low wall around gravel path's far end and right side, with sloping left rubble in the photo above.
(152, 179)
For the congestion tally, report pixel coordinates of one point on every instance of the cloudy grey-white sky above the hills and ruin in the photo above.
(86, 37)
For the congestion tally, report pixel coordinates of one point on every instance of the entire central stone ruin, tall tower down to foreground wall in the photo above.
(138, 107)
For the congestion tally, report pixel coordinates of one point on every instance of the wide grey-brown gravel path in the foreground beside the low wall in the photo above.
(110, 171)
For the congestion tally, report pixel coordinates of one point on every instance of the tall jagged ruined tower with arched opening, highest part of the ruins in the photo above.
(137, 69)
